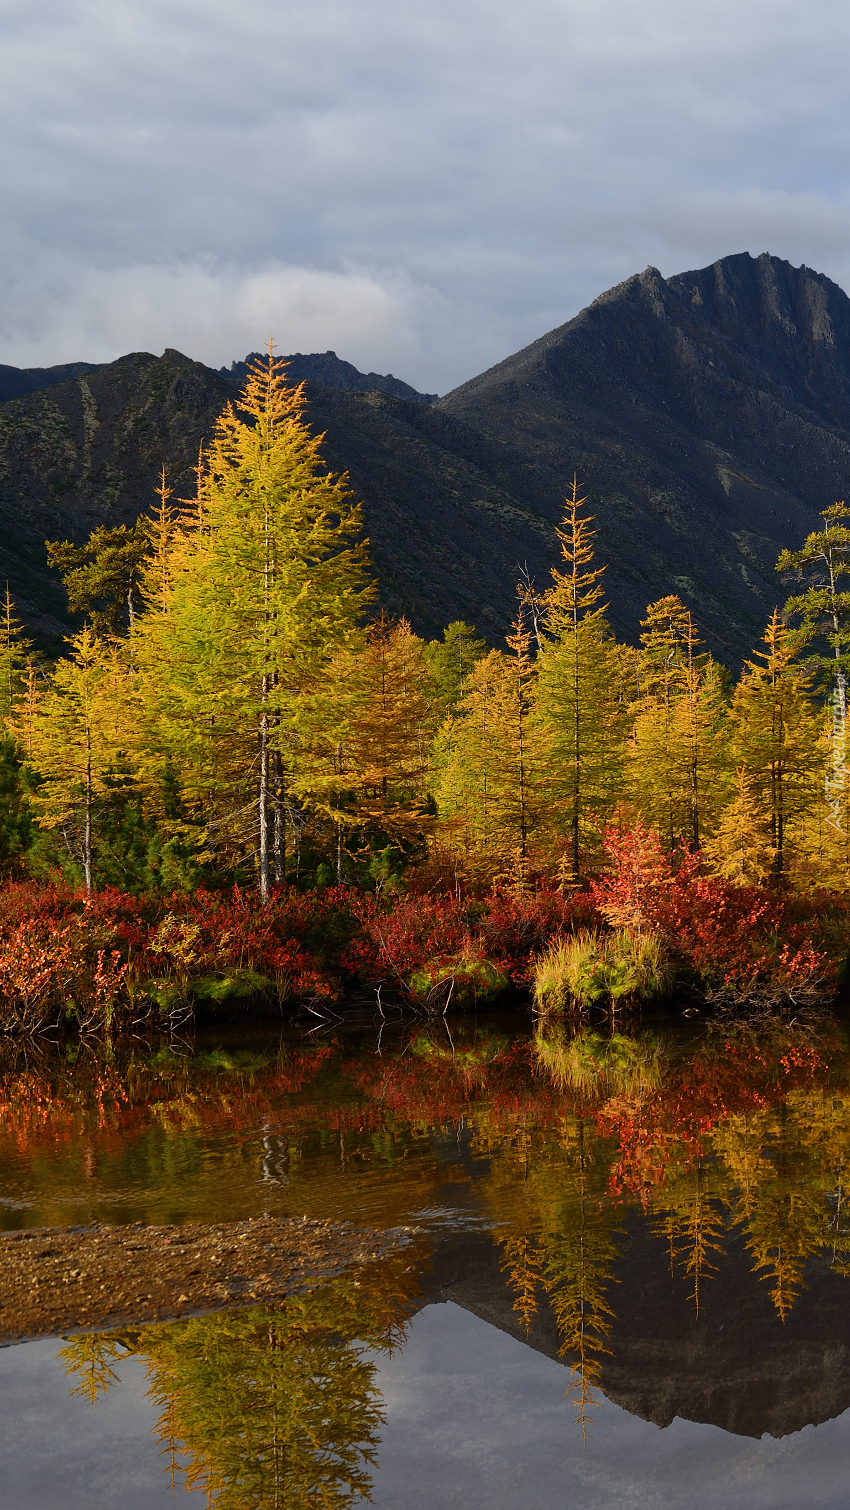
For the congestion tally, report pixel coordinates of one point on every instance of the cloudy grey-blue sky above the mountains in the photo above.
(422, 188)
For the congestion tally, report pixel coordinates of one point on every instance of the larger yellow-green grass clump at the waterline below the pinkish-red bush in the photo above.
(602, 970)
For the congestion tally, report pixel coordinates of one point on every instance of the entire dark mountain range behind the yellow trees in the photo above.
(707, 418)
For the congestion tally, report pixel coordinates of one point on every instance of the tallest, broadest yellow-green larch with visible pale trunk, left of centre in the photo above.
(268, 581)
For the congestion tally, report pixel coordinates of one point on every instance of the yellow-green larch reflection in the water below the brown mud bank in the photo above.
(276, 1407)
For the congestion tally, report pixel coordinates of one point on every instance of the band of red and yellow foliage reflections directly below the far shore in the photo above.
(712, 1138)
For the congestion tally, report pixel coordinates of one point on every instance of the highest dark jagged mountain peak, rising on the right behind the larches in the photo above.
(709, 419)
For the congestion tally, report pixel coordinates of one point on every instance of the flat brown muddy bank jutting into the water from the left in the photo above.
(67, 1280)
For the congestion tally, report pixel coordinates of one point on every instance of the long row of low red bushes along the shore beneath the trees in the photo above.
(109, 954)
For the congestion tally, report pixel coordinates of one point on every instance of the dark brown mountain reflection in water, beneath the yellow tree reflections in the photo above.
(736, 1366)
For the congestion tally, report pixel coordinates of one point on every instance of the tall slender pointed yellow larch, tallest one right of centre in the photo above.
(579, 697)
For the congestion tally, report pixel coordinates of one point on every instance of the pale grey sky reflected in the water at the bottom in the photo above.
(475, 1419)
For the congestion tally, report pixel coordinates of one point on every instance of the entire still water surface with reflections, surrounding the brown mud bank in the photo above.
(630, 1281)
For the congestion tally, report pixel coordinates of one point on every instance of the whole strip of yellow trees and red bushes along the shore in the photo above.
(242, 784)
